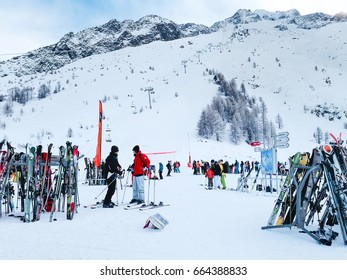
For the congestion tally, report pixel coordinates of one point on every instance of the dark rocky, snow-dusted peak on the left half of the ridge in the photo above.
(112, 36)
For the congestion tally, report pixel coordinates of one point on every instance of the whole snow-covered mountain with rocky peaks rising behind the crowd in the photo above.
(298, 72)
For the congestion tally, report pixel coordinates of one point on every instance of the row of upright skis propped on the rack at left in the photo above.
(39, 189)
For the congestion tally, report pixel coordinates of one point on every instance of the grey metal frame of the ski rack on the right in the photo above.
(299, 187)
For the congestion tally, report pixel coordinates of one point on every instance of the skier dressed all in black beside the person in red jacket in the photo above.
(111, 166)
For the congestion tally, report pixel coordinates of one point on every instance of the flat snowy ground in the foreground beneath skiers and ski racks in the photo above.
(203, 224)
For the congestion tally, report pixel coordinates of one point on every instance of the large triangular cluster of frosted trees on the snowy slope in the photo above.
(245, 116)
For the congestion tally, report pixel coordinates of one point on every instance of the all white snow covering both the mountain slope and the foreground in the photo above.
(203, 224)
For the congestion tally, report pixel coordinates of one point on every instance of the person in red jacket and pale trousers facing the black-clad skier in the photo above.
(140, 166)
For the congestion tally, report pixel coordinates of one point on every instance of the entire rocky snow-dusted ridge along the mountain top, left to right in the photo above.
(115, 35)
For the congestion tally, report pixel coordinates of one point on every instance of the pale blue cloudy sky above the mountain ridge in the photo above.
(26, 25)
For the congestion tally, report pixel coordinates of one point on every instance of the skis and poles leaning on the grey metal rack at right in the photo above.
(314, 194)
